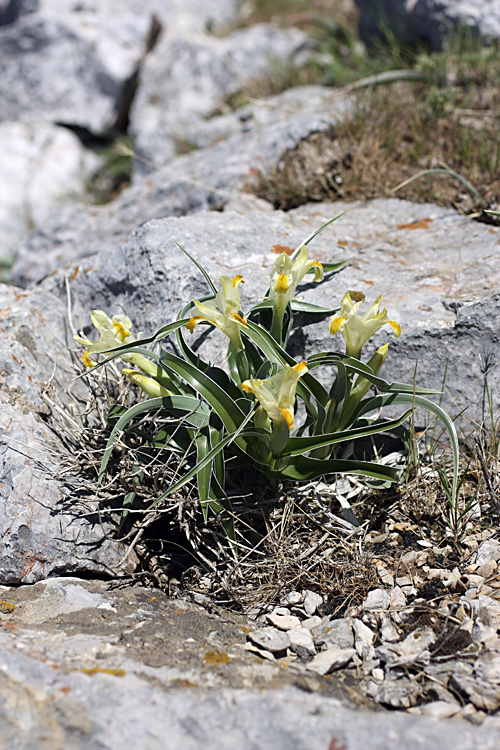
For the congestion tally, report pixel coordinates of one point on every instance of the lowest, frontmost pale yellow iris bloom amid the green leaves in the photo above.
(276, 395)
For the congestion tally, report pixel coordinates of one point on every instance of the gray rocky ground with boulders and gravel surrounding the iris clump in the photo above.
(361, 620)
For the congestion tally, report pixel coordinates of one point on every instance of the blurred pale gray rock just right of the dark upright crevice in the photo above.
(190, 75)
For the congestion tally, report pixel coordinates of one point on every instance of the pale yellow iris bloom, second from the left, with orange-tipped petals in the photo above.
(224, 311)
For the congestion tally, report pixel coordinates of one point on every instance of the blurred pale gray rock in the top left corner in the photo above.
(73, 63)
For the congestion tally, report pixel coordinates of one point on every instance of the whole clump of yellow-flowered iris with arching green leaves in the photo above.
(216, 450)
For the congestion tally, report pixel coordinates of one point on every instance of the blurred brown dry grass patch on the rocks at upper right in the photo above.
(389, 141)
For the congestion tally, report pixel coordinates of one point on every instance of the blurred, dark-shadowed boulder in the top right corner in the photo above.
(429, 21)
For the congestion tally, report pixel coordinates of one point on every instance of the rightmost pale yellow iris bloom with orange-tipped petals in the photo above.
(356, 330)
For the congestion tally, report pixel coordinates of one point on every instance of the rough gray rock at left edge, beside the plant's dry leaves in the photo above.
(44, 529)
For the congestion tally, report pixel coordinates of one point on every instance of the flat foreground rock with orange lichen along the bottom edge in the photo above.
(84, 664)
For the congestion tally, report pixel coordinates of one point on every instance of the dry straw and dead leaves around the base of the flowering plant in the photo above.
(294, 539)
